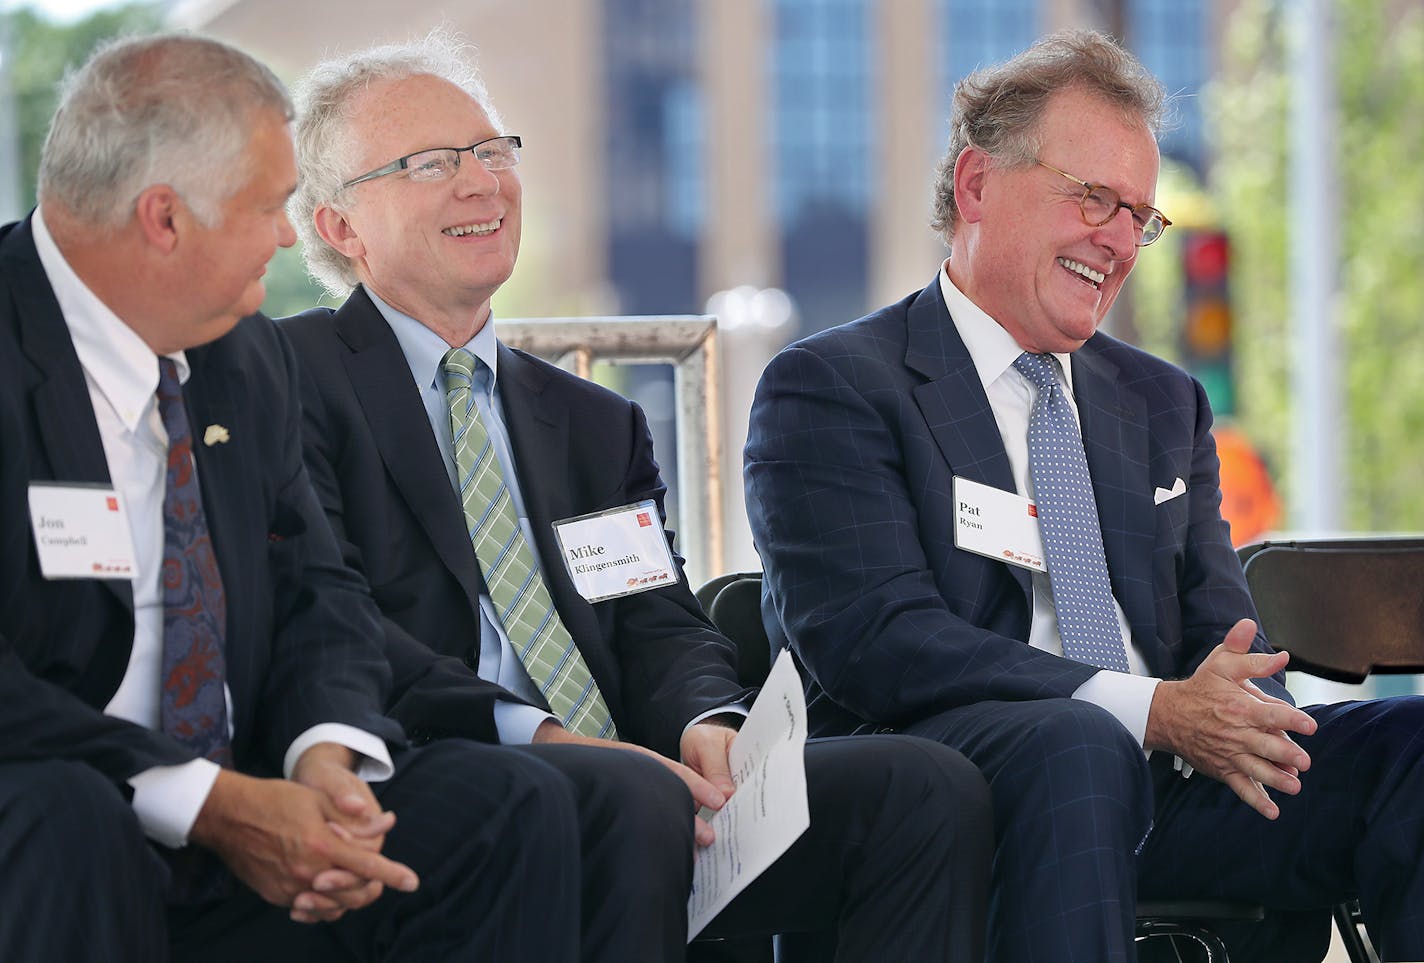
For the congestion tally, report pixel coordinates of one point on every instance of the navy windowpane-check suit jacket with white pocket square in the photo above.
(857, 435)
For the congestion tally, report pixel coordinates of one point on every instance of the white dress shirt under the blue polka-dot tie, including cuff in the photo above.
(1127, 696)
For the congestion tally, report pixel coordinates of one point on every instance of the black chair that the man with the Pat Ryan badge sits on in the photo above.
(734, 603)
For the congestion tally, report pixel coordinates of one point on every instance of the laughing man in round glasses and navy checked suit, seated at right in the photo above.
(988, 524)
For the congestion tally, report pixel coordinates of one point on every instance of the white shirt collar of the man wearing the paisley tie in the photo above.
(117, 361)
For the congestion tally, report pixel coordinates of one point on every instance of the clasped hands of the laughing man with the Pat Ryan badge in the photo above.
(1225, 727)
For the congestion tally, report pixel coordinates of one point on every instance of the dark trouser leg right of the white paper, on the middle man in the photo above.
(896, 860)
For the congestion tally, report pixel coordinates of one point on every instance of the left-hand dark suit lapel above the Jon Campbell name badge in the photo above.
(63, 411)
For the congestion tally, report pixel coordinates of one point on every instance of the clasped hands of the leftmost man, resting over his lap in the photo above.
(311, 843)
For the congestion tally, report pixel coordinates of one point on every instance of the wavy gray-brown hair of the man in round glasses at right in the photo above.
(999, 109)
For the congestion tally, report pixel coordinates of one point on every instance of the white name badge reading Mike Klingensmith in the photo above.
(620, 552)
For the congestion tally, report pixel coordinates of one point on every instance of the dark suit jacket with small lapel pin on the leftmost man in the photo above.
(303, 640)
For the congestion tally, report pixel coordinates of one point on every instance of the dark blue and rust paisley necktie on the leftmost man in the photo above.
(193, 704)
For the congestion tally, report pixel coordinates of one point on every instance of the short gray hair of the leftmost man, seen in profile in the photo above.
(167, 109)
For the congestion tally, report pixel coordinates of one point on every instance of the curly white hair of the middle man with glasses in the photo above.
(324, 139)
